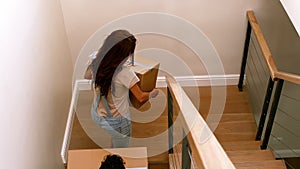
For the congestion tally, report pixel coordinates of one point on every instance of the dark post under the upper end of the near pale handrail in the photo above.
(170, 121)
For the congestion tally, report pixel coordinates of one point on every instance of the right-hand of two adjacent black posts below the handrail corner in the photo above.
(272, 114)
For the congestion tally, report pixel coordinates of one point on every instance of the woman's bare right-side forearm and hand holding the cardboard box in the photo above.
(142, 96)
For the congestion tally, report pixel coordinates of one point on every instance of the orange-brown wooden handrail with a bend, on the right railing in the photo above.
(275, 74)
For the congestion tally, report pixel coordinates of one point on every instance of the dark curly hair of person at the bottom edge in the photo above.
(112, 162)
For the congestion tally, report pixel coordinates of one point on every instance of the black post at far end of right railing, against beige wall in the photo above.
(245, 55)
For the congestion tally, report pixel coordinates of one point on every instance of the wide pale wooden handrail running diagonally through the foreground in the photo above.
(206, 149)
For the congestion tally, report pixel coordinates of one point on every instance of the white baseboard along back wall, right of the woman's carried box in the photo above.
(204, 80)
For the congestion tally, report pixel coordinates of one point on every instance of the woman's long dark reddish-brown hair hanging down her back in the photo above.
(117, 47)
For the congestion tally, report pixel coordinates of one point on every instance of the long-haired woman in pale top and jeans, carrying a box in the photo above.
(112, 82)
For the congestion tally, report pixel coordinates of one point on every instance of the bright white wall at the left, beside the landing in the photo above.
(35, 85)
